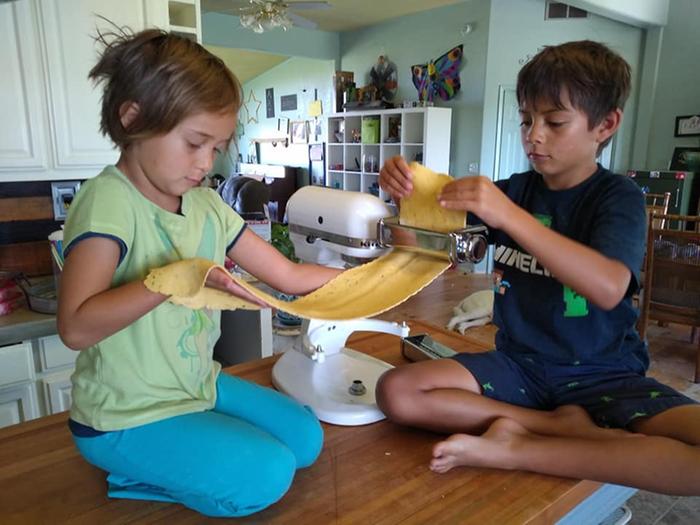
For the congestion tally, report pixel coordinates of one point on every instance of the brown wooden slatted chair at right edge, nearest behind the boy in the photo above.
(671, 290)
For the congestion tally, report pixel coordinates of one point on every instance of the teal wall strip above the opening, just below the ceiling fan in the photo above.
(226, 31)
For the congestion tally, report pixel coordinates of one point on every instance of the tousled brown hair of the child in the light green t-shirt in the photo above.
(168, 76)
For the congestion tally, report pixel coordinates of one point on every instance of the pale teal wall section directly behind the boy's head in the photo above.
(507, 53)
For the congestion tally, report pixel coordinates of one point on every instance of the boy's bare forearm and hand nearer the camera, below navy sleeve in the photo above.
(600, 279)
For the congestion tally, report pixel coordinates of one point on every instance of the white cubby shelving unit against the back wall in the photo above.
(358, 144)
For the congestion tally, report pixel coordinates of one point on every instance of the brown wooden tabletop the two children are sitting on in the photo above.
(371, 474)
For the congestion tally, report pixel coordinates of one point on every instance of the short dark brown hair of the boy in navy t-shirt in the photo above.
(596, 79)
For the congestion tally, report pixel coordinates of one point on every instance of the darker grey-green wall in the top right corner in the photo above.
(677, 84)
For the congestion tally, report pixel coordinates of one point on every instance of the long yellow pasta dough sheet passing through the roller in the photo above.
(363, 291)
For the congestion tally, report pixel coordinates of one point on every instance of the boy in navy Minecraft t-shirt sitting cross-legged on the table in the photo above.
(569, 243)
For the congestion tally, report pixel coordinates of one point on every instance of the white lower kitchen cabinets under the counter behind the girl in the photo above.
(35, 379)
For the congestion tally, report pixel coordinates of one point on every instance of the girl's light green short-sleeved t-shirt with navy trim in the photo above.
(161, 365)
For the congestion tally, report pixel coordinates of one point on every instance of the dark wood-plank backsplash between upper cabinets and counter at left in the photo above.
(26, 220)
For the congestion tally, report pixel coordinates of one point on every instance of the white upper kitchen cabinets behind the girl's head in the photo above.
(51, 111)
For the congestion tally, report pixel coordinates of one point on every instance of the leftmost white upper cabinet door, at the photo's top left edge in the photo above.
(23, 123)
